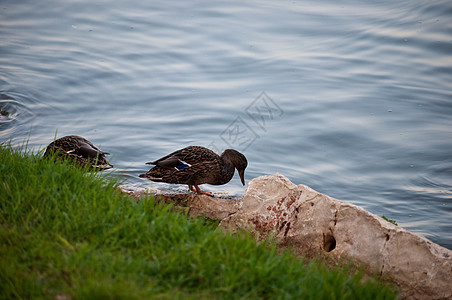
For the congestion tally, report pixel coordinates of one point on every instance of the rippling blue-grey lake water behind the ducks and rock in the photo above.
(351, 99)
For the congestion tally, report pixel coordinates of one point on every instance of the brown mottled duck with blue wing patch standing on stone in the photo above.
(195, 165)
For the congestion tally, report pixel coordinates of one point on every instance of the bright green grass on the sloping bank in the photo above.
(69, 233)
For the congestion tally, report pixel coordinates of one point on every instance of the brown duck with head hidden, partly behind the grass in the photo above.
(82, 151)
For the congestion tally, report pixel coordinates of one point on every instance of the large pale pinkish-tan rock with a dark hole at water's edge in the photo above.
(313, 224)
